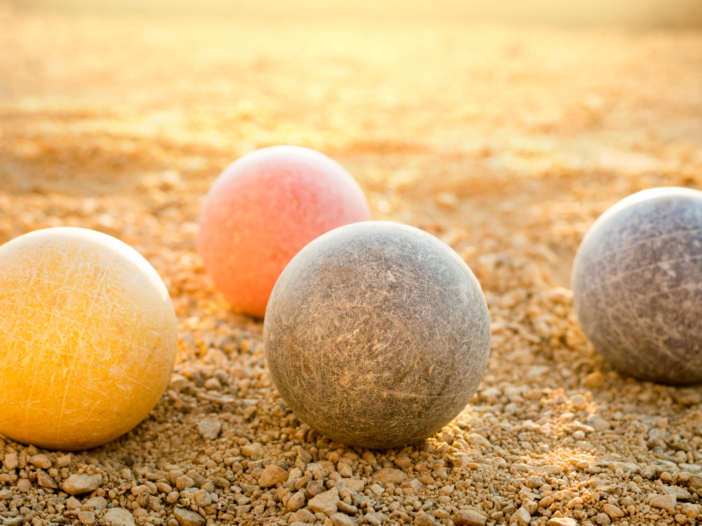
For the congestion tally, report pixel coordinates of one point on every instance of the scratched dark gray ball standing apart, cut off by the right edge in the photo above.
(637, 285)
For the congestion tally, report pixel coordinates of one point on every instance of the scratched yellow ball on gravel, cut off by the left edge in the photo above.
(88, 338)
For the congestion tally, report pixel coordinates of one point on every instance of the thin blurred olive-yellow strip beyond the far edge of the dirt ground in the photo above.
(579, 12)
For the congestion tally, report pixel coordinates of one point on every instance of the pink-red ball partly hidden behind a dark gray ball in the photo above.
(266, 207)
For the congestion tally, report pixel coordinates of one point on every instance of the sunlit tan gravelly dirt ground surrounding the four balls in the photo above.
(505, 143)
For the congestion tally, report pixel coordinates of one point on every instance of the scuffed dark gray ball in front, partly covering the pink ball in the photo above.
(377, 334)
